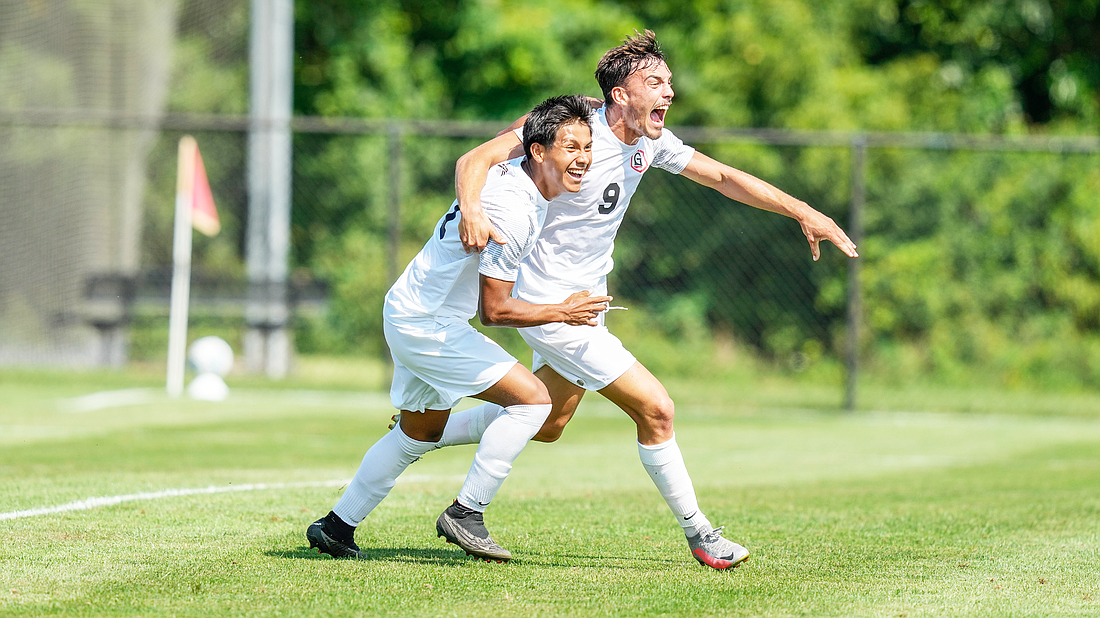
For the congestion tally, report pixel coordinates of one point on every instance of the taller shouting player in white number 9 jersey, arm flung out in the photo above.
(630, 138)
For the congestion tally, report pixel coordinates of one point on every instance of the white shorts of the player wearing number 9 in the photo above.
(589, 357)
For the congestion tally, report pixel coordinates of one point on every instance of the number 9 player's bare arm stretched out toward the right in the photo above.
(749, 190)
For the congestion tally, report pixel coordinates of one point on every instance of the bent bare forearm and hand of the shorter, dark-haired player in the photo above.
(498, 308)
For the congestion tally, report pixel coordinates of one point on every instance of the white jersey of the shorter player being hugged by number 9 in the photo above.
(442, 281)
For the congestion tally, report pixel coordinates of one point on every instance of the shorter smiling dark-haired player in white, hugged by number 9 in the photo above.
(439, 358)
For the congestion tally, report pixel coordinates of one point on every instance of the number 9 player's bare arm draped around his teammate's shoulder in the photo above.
(476, 229)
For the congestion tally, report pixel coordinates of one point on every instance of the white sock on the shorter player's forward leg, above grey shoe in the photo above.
(500, 446)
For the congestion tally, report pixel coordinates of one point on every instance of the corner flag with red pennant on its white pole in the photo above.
(194, 207)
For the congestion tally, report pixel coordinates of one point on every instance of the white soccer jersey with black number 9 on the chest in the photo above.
(574, 252)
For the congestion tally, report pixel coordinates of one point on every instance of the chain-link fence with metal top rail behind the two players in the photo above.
(999, 228)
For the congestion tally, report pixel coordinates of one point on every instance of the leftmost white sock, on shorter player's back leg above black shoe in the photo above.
(382, 465)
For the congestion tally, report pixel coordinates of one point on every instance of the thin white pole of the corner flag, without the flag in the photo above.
(181, 269)
